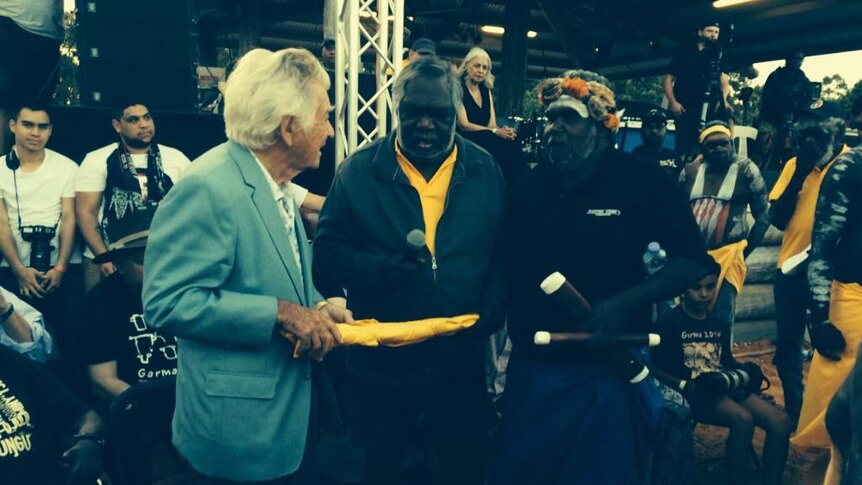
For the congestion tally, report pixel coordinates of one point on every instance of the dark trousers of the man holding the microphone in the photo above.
(450, 414)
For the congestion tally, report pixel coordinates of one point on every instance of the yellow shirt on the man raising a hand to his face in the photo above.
(797, 235)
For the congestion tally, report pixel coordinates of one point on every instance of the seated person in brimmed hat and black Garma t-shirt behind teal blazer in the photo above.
(114, 340)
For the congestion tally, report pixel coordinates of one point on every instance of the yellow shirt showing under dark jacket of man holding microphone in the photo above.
(432, 193)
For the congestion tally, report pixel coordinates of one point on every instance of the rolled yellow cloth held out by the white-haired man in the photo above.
(371, 333)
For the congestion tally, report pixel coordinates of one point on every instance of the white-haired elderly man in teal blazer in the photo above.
(229, 274)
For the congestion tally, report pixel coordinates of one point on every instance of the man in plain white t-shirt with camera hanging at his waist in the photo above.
(37, 198)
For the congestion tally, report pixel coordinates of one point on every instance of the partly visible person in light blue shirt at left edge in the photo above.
(22, 328)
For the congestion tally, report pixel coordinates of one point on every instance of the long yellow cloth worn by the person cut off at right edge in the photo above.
(826, 376)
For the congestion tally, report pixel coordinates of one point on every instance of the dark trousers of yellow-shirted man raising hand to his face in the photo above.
(792, 300)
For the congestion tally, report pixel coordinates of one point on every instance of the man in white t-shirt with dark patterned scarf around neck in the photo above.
(125, 176)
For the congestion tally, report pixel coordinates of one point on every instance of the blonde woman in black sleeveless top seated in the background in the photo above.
(477, 118)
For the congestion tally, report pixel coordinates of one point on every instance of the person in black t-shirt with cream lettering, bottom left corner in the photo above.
(47, 434)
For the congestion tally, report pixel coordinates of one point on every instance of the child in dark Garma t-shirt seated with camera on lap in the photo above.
(695, 358)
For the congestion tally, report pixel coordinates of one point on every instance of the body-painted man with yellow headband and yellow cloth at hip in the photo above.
(722, 187)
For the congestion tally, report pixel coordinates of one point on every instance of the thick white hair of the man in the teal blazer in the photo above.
(266, 86)
